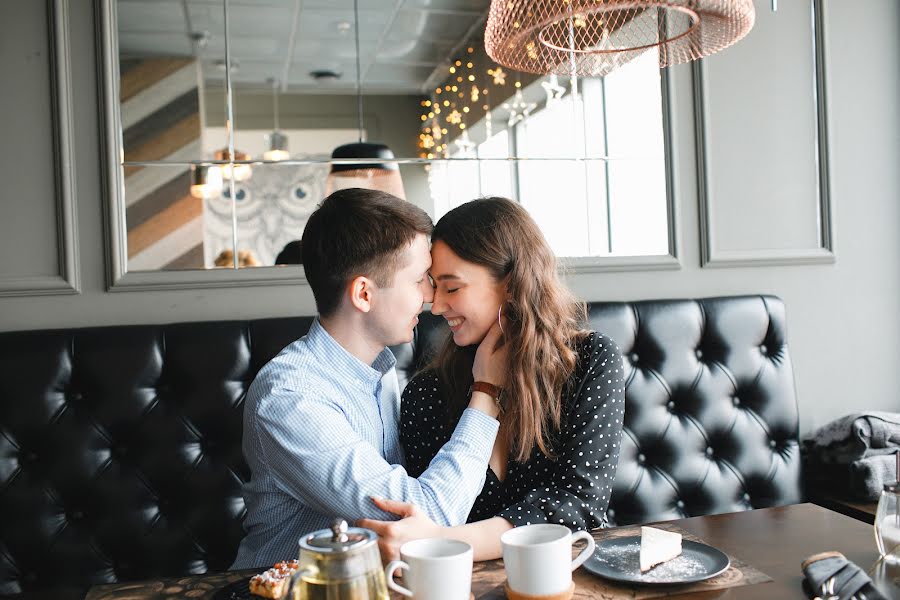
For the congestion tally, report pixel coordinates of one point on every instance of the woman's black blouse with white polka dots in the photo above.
(574, 488)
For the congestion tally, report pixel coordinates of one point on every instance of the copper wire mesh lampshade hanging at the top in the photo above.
(593, 37)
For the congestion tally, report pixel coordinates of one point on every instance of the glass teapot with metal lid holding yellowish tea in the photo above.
(341, 563)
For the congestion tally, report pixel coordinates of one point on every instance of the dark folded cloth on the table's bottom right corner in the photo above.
(849, 579)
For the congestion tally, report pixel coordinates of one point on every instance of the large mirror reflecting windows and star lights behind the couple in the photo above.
(222, 117)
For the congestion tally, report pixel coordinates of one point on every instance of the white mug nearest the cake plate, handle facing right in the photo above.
(538, 558)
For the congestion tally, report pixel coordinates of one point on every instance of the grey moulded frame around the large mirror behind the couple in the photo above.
(119, 278)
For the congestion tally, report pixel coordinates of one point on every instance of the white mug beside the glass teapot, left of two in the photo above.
(434, 569)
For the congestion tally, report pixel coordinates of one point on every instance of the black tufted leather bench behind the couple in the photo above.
(120, 447)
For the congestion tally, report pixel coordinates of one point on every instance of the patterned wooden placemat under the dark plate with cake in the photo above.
(489, 585)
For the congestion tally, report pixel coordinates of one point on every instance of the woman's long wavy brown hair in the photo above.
(543, 319)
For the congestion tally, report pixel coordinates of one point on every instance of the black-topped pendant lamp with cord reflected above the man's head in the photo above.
(375, 175)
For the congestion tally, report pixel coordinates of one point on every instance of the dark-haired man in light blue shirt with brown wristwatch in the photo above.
(321, 419)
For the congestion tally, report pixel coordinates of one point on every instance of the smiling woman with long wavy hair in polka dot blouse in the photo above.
(562, 398)
